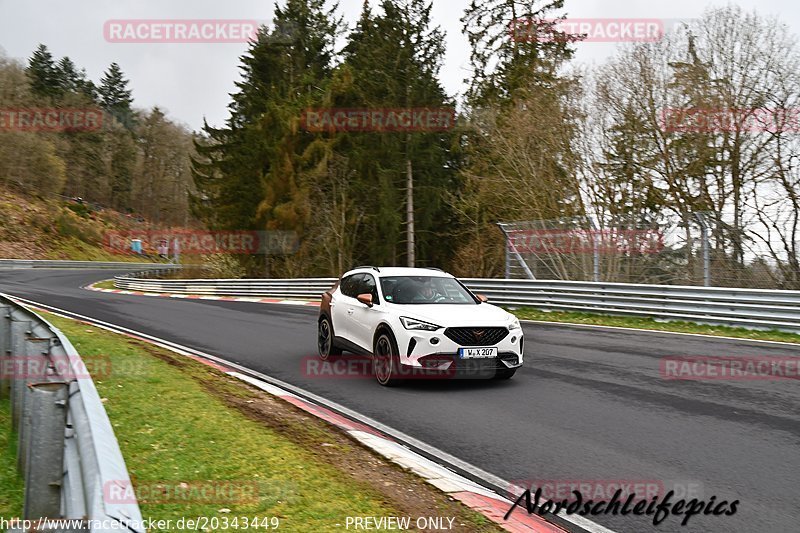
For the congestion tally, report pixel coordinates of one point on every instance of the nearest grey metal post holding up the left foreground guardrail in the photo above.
(48, 420)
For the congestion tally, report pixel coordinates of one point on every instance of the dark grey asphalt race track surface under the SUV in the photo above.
(589, 406)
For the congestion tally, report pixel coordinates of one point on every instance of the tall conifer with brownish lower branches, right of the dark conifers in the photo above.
(519, 150)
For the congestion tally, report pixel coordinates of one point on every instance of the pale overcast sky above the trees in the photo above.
(192, 81)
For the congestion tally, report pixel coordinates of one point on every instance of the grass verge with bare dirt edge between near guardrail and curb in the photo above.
(186, 428)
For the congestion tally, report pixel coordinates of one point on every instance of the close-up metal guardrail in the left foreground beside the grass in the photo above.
(68, 455)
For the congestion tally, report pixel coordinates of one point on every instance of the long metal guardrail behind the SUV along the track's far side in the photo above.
(750, 308)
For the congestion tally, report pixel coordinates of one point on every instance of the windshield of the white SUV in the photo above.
(425, 290)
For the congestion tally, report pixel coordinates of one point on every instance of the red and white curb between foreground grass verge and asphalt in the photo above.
(485, 501)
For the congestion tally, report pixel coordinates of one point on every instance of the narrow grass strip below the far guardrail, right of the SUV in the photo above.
(649, 323)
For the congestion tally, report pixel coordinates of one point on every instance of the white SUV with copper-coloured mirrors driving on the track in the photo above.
(417, 322)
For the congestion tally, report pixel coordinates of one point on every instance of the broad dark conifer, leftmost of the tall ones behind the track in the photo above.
(246, 172)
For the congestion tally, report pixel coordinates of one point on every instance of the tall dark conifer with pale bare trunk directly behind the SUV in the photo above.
(393, 59)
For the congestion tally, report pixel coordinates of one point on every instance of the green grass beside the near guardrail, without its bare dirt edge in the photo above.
(172, 431)
